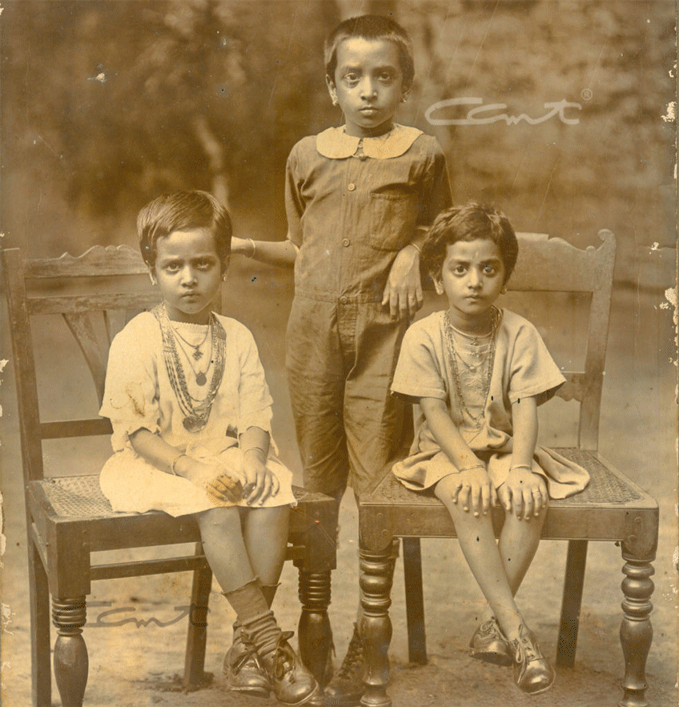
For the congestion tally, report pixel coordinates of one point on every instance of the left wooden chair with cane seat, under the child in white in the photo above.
(68, 518)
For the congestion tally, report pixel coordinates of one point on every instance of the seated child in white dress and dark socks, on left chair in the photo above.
(191, 416)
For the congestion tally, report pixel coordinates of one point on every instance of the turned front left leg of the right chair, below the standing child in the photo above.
(376, 578)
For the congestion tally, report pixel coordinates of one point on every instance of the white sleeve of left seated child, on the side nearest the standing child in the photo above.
(255, 402)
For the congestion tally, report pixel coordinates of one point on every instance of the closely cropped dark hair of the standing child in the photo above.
(371, 27)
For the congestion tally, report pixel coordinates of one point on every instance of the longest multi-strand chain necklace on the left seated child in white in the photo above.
(195, 416)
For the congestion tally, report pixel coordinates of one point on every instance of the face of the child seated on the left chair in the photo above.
(188, 273)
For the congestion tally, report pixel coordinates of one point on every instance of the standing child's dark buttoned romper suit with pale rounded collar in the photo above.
(351, 205)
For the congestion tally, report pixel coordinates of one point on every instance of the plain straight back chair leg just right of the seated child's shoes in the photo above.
(571, 603)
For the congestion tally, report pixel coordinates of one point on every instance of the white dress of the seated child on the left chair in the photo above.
(138, 394)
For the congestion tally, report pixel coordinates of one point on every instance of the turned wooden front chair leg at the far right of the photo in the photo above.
(636, 631)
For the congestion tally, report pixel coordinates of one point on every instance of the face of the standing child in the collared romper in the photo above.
(368, 85)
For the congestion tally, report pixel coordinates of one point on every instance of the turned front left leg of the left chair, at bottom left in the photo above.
(70, 652)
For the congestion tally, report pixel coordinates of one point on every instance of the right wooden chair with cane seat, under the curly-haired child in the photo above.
(611, 508)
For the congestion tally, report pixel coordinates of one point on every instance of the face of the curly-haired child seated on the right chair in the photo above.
(472, 278)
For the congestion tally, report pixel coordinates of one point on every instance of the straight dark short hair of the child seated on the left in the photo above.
(183, 211)
